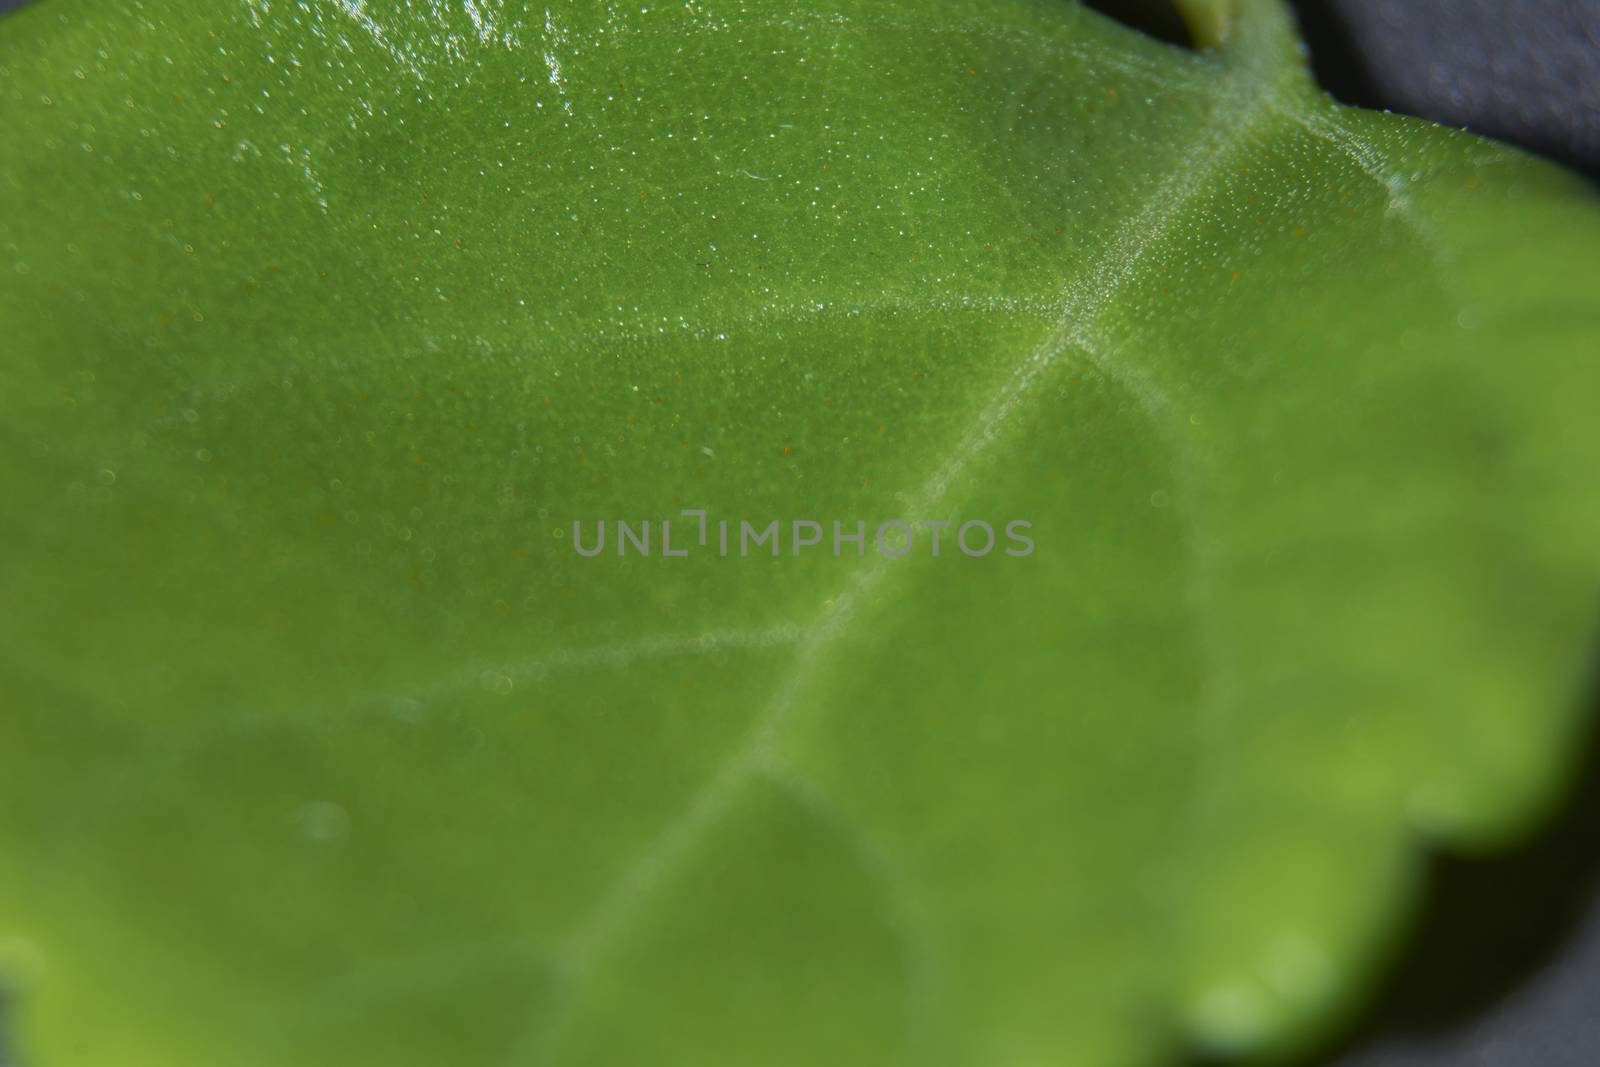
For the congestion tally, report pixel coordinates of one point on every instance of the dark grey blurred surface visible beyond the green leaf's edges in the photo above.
(1503, 964)
